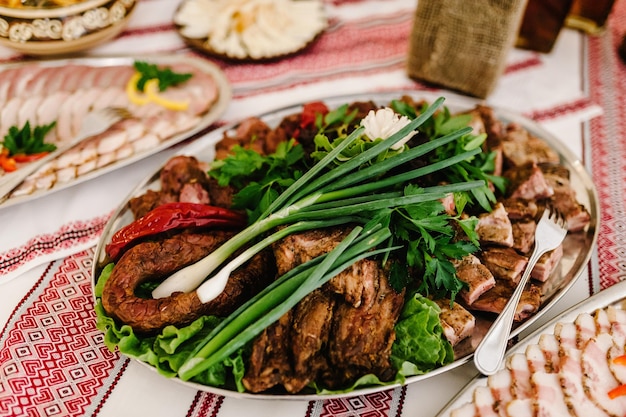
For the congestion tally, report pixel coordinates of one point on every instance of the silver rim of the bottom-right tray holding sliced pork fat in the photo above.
(610, 297)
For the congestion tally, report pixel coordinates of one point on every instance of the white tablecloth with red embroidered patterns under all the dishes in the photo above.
(46, 244)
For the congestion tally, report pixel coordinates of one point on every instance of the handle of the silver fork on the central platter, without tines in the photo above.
(490, 351)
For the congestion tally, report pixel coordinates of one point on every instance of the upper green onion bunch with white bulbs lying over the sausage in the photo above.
(325, 197)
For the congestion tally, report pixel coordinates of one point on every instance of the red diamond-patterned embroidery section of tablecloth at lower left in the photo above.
(53, 360)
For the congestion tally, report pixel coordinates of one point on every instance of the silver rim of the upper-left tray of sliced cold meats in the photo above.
(215, 112)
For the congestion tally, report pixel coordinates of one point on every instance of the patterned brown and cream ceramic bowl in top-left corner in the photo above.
(54, 27)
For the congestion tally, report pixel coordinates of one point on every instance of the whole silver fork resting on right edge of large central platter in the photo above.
(550, 232)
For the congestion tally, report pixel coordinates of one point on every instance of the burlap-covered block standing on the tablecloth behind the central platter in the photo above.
(463, 44)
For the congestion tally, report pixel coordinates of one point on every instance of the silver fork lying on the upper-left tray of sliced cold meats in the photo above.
(94, 123)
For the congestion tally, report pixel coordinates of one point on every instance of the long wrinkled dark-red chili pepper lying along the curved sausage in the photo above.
(171, 216)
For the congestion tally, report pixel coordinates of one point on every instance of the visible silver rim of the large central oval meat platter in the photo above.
(577, 246)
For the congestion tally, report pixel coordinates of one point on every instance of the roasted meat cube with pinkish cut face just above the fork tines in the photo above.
(527, 182)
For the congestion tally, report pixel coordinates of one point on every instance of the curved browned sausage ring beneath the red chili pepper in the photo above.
(154, 260)
